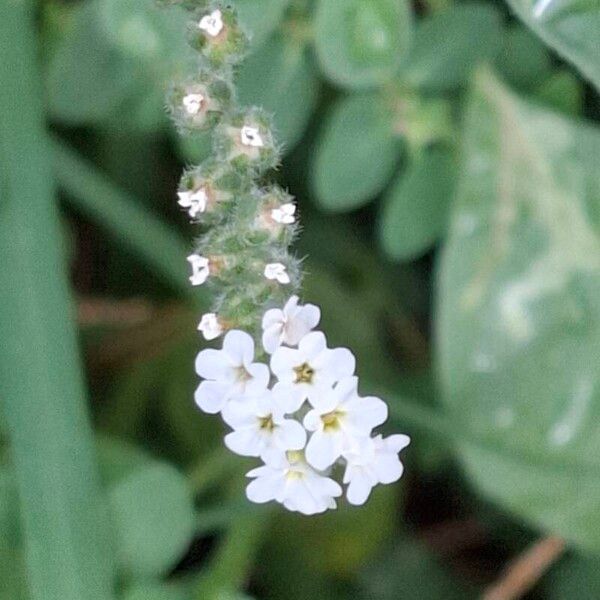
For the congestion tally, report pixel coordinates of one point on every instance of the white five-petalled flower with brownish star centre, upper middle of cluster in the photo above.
(312, 368)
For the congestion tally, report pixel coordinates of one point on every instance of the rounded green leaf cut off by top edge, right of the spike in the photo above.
(361, 43)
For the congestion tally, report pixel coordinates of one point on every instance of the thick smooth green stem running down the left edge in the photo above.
(65, 528)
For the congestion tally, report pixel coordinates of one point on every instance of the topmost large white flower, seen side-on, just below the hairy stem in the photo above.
(288, 326)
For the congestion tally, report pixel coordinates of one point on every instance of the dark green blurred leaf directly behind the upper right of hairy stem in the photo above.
(281, 78)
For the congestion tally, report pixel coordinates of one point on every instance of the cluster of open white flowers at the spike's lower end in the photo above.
(301, 415)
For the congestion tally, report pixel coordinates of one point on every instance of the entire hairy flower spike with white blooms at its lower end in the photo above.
(289, 399)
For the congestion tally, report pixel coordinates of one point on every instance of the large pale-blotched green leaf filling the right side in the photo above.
(519, 320)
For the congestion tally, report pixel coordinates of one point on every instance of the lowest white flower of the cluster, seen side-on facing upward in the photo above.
(294, 484)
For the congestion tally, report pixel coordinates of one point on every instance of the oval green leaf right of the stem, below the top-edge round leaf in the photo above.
(356, 153)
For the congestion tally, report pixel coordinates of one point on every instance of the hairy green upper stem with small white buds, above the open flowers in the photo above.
(247, 225)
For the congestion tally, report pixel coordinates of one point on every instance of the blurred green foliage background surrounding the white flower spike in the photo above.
(447, 169)
